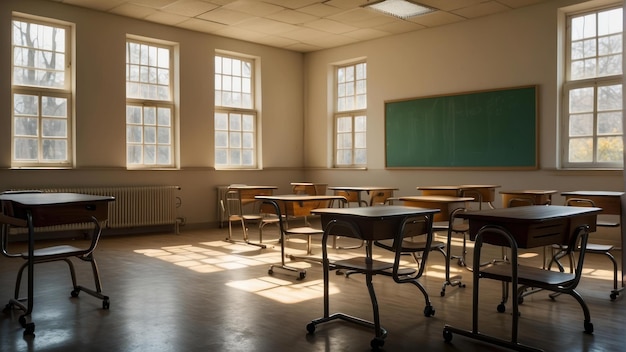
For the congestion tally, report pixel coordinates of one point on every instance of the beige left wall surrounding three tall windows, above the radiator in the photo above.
(100, 109)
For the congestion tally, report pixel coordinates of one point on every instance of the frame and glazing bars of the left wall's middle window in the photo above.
(157, 104)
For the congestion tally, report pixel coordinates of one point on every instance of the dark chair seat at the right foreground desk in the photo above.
(530, 276)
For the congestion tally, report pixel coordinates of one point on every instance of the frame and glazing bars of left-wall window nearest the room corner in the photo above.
(229, 150)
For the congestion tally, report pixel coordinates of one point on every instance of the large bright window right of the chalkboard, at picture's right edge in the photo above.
(593, 91)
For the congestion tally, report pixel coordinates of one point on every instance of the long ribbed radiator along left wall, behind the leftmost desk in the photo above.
(134, 206)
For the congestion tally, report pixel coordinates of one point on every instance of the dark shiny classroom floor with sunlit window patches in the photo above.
(195, 292)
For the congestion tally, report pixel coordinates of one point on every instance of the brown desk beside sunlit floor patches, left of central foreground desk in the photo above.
(295, 205)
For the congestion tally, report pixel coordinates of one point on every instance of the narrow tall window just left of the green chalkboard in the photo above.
(350, 117)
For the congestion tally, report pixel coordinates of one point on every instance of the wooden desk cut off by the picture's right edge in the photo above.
(611, 204)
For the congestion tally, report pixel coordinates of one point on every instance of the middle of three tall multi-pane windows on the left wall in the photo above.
(149, 105)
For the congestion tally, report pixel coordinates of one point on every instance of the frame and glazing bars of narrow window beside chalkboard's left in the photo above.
(353, 114)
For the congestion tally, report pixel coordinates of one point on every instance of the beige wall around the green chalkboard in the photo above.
(516, 48)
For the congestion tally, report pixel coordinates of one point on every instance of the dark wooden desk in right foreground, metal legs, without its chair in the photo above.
(530, 226)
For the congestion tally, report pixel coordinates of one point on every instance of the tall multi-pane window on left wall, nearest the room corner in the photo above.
(235, 115)
